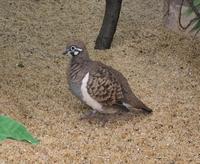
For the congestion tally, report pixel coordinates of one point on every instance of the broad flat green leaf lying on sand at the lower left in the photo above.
(11, 129)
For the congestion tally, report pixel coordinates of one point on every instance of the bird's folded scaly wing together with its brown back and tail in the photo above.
(109, 87)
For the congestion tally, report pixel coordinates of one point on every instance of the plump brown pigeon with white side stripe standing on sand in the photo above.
(97, 85)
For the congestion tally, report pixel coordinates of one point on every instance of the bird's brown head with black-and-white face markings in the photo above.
(75, 48)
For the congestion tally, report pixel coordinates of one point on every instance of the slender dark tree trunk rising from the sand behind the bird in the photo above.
(109, 25)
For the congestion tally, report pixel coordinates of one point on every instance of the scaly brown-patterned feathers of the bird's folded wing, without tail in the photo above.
(103, 85)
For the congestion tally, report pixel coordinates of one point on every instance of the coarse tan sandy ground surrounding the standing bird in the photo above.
(163, 69)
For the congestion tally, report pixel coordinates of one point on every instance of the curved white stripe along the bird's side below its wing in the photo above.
(87, 98)
